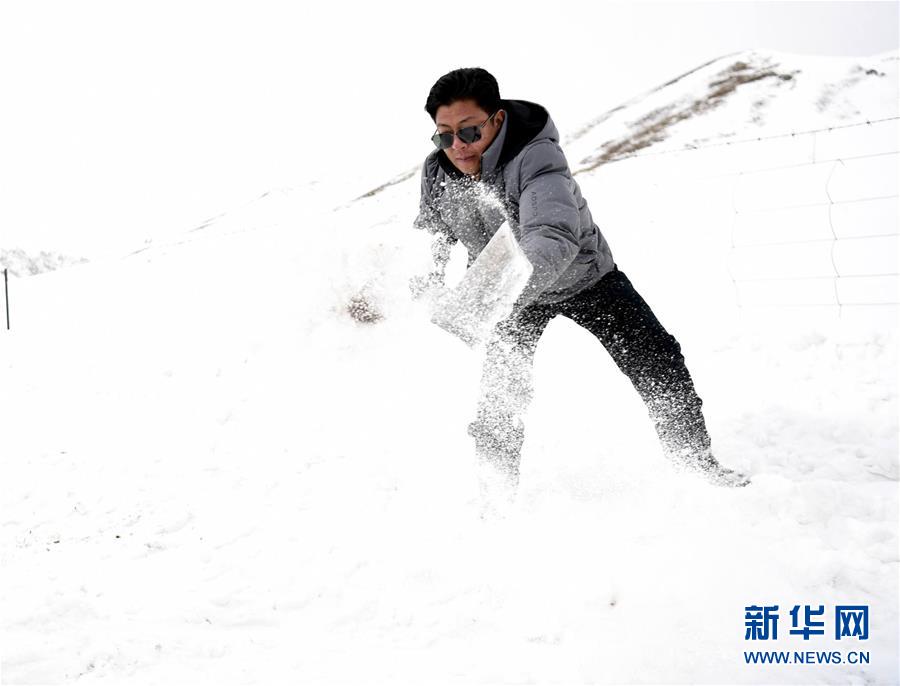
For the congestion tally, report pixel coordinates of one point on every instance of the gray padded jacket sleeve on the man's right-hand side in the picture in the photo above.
(549, 220)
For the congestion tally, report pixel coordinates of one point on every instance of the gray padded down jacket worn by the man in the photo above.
(525, 179)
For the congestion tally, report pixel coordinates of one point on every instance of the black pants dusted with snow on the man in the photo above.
(645, 352)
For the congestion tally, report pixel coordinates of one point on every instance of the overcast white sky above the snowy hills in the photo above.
(121, 120)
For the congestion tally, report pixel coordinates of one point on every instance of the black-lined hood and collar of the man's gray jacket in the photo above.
(524, 122)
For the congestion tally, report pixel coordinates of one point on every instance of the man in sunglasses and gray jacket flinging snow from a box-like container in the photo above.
(499, 160)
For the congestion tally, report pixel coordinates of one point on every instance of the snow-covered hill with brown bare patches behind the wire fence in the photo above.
(739, 97)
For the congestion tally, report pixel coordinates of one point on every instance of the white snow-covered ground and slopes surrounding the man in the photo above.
(212, 473)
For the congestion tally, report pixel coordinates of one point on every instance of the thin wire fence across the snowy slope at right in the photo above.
(795, 241)
